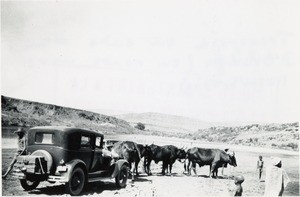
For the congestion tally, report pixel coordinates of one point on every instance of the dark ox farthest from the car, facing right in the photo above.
(215, 158)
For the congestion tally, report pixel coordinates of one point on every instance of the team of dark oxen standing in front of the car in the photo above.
(168, 154)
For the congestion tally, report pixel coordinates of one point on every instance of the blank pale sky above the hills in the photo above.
(216, 60)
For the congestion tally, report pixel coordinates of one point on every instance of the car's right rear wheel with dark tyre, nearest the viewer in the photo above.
(76, 183)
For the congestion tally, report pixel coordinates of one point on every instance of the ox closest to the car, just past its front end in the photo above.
(129, 151)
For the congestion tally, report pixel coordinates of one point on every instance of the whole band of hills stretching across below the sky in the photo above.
(16, 112)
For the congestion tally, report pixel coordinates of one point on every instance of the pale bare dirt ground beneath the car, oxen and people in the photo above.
(178, 184)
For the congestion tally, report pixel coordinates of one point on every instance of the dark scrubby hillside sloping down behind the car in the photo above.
(16, 112)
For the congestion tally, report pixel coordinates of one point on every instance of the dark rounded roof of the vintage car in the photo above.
(65, 129)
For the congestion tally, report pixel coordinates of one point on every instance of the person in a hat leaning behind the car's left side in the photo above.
(21, 149)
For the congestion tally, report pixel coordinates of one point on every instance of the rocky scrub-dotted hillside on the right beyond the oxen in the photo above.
(282, 136)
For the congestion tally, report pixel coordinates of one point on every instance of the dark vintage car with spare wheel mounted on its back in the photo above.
(67, 155)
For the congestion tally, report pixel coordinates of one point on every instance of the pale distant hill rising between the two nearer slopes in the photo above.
(166, 122)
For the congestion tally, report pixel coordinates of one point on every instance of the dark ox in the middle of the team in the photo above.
(167, 154)
